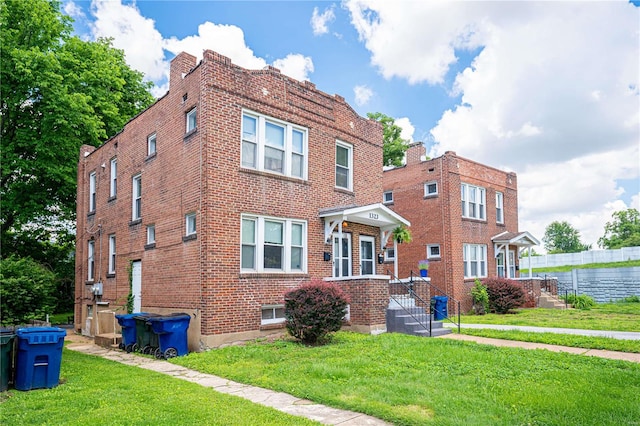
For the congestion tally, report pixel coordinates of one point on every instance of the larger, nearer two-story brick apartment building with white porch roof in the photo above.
(233, 188)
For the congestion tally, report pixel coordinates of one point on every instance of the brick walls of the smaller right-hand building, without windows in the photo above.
(437, 219)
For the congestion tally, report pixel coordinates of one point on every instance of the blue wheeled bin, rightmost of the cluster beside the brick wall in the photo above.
(172, 334)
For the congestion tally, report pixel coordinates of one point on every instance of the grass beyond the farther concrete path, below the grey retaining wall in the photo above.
(609, 316)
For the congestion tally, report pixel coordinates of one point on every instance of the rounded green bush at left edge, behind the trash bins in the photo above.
(27, 291)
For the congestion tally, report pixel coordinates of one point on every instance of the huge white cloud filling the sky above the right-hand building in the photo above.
(552, 93)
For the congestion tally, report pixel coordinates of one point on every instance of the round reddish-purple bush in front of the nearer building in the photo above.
(314, 310)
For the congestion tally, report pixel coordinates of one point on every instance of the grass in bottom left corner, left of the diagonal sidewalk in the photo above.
(95, 391)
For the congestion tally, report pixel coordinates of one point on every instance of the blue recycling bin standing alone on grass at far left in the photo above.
(38, 359)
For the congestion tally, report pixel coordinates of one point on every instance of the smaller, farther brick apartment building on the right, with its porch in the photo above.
(464, 218)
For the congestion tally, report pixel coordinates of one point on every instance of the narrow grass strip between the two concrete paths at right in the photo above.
(586, 342)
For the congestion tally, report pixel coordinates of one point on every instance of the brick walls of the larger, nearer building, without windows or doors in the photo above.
(200, 172)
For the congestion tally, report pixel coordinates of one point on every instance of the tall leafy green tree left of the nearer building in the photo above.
(58, 92)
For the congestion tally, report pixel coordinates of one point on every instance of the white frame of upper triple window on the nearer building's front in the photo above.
(260, 144)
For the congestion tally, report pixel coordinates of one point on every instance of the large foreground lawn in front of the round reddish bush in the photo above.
(416, 381)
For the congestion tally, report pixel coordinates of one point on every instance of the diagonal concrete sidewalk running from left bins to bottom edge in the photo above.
(278, 400)
